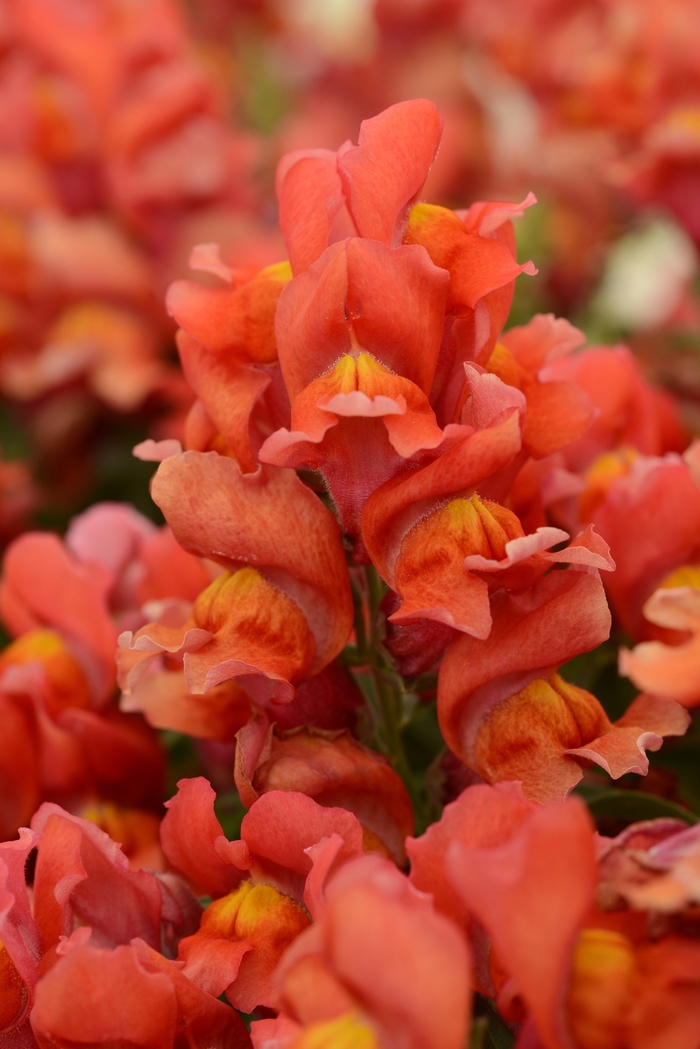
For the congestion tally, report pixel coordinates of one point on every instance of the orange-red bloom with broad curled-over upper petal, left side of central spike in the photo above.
(281, 613)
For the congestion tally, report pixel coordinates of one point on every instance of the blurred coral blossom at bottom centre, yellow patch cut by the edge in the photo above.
(379, 969)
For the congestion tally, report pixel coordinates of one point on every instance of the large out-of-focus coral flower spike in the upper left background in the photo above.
(115, 156)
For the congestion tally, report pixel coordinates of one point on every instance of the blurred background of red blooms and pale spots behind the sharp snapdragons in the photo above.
(132, 131)
